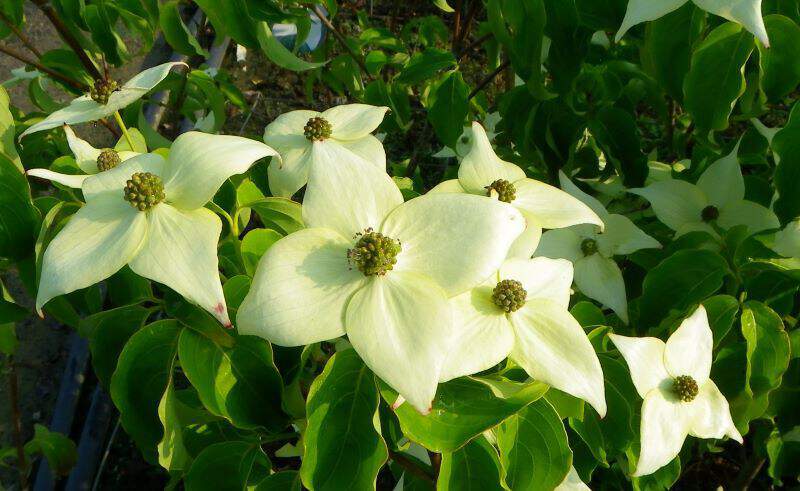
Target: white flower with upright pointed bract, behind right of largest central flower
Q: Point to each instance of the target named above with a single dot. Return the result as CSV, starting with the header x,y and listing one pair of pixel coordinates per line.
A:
x,y
482,172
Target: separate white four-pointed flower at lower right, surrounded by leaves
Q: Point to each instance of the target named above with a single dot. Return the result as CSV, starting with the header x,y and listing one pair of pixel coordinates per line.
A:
x,y
679,398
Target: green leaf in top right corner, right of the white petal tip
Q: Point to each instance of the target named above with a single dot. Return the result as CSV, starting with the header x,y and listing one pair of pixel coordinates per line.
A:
x,y
780,63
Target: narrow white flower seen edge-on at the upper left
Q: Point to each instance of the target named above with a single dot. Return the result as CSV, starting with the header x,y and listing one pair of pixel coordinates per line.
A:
x,y
85,109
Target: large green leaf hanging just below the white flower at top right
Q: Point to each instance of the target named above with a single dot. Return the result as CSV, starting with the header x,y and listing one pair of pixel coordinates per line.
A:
x,y
716,77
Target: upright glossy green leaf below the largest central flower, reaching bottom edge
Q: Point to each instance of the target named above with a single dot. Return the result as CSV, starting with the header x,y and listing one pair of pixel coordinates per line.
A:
x,y
344,449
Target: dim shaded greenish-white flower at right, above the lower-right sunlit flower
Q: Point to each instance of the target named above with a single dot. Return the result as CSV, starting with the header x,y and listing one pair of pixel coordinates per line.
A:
x,y
717,198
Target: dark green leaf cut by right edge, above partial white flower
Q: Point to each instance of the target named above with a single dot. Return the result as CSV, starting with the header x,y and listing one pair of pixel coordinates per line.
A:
x,y
786,145
